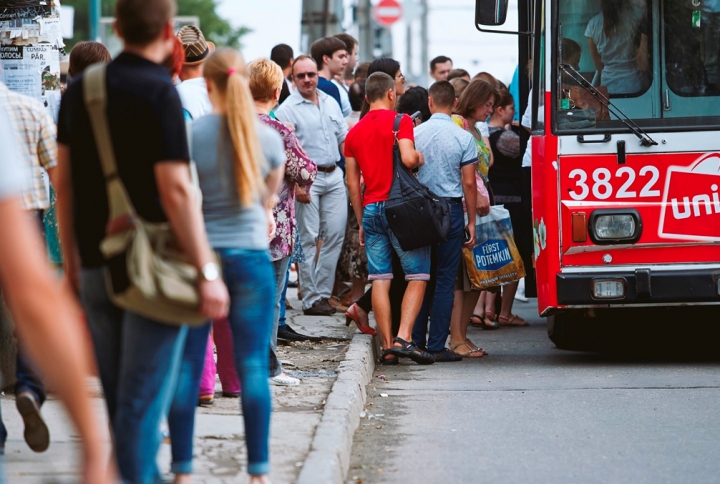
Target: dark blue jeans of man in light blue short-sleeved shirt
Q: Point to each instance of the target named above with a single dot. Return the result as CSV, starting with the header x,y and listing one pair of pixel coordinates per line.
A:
x,y
439,293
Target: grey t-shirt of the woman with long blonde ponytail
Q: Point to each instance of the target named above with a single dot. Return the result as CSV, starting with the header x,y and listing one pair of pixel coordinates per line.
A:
x,y
228,223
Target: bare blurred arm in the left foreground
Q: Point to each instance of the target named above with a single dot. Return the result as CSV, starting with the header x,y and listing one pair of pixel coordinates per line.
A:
x,y
49,324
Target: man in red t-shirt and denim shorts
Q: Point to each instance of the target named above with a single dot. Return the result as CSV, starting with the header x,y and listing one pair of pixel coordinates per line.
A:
x,y
369,150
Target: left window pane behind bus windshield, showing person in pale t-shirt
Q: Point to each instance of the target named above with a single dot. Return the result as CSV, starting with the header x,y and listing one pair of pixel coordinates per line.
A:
x,y
609,43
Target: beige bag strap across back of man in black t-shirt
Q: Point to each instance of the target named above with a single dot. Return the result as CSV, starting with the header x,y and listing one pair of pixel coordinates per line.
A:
x,y
95,97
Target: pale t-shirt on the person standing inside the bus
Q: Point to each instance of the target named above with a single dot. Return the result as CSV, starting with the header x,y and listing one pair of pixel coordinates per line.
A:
x,y
620,71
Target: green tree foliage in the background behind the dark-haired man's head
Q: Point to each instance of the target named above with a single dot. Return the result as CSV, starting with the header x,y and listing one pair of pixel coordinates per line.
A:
x,y
215,28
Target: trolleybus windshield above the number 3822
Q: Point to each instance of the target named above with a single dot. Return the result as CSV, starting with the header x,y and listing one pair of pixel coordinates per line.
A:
x,y
658,61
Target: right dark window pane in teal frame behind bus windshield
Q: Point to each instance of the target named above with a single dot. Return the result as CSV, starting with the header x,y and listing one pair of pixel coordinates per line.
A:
x,y
692,47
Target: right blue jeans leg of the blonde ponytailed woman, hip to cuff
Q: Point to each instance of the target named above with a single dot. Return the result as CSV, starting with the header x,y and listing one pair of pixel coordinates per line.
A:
x,y
250,279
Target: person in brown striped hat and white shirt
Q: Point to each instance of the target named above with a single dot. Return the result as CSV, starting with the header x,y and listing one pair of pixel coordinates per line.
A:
x,y
192,89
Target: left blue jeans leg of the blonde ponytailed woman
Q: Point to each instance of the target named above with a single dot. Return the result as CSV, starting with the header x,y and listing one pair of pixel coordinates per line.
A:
x,y
181,418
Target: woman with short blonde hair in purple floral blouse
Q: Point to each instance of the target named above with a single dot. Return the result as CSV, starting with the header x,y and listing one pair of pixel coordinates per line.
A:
x,y
266,80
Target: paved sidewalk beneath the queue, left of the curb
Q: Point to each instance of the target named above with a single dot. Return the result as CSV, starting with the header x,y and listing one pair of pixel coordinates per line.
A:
x,y
219,436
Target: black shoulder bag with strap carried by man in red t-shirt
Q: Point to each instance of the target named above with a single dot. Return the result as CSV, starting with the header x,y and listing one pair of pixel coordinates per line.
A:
x,y
416,215
